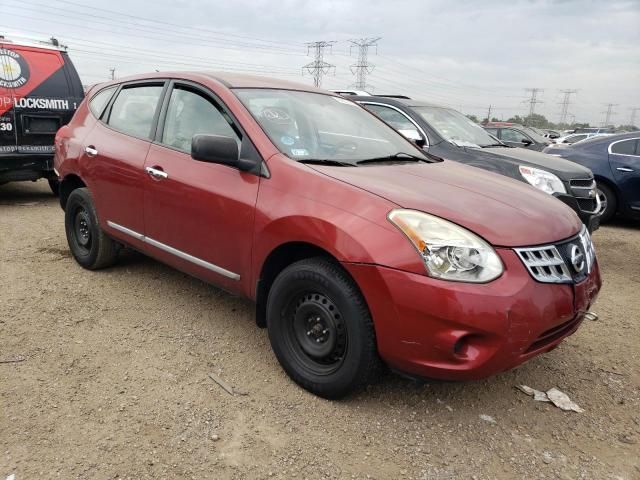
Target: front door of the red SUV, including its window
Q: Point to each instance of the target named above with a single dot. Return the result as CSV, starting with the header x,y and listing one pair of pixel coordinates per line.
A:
x,y
199,216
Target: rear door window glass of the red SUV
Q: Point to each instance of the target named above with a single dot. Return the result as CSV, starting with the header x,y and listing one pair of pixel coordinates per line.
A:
x,y
134,109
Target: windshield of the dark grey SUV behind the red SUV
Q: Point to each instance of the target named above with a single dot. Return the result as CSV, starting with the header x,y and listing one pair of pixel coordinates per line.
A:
x,y
455,127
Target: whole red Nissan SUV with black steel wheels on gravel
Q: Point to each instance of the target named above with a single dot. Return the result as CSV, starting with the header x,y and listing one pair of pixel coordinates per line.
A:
x,y
357,247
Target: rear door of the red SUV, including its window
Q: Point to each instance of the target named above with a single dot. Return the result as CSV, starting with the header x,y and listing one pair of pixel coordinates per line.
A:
x,y
113,157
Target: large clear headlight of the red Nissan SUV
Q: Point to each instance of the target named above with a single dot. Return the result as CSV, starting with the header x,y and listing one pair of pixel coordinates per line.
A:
x,y
449,251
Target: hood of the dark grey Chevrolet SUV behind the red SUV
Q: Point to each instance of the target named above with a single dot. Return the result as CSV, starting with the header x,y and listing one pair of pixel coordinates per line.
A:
x,y
564,169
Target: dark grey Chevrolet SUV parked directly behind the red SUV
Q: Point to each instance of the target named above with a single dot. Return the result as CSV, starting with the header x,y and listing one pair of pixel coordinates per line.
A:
x,y
446,133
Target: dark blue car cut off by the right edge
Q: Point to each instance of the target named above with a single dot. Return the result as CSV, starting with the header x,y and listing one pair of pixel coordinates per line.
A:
x,y
615,162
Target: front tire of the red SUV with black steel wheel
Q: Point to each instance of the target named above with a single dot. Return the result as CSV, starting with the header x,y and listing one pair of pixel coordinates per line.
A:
x,y
321,330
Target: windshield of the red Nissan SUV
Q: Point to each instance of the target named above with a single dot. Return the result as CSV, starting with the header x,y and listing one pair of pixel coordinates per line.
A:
x,y
308,126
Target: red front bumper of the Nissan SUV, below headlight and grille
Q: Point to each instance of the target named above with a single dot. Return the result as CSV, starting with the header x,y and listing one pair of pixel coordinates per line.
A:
x,y
460,331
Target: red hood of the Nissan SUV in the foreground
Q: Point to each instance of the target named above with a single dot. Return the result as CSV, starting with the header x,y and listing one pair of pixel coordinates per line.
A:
x,y
503,211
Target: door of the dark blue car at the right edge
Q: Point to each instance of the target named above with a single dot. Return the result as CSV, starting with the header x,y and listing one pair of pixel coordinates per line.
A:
x,y
624,158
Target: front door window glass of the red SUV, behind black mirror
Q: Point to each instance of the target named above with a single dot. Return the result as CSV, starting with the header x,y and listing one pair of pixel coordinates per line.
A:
x,y
190,113
